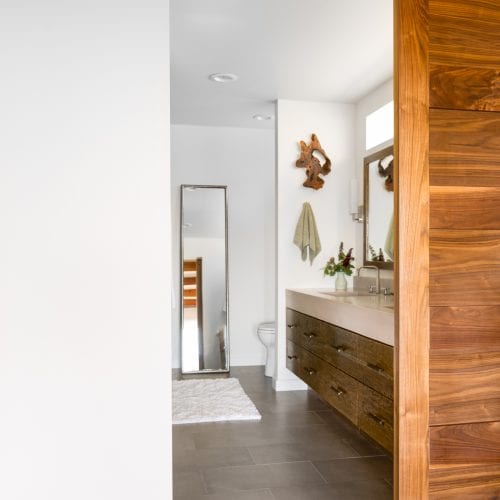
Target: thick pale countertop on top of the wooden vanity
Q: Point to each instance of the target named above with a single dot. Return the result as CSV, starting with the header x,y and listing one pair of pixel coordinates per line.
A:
x,y
368,315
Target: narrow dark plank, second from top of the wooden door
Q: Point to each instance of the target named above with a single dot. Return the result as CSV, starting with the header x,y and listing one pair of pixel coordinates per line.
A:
x,y
464,88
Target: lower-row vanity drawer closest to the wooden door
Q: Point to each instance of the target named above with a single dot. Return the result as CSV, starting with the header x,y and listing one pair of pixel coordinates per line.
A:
x,y
376,417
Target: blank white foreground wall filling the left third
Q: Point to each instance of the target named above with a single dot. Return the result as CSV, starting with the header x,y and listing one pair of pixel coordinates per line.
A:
x,y
85,253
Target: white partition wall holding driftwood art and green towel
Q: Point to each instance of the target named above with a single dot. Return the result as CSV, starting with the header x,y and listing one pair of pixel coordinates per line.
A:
x,y
334,124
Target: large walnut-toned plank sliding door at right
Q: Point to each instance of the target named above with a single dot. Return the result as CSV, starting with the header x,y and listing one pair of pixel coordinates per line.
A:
x,y
449,335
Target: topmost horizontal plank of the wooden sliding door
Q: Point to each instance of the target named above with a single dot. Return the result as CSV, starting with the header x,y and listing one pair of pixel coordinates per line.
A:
x,y
471,38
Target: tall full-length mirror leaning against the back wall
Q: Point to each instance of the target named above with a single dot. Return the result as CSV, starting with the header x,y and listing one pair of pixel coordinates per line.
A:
x,y
204,282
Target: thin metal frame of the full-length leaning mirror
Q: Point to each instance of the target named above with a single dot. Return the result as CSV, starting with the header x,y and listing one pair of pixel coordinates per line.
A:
x,y
181,276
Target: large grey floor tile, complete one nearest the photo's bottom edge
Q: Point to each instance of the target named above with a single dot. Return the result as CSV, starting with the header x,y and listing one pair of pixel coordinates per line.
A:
x,y
261,476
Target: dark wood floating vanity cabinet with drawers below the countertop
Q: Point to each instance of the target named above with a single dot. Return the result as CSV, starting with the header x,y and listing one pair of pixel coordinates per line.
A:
x,y
351,372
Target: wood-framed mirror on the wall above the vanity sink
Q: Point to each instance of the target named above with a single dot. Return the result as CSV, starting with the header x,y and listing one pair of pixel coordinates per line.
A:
x,y
379,209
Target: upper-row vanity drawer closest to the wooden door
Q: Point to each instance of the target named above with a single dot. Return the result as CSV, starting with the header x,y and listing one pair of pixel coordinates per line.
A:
x,y
377,363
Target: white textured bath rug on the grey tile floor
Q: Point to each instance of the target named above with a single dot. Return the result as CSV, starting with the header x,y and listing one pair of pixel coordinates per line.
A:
x,y
210,400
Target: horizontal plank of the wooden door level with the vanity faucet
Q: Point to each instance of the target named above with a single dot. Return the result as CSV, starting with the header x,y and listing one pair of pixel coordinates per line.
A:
x,y
464,258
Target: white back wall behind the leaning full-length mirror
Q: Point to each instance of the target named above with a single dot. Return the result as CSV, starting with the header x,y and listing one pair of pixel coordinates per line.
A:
x,y
242,159
